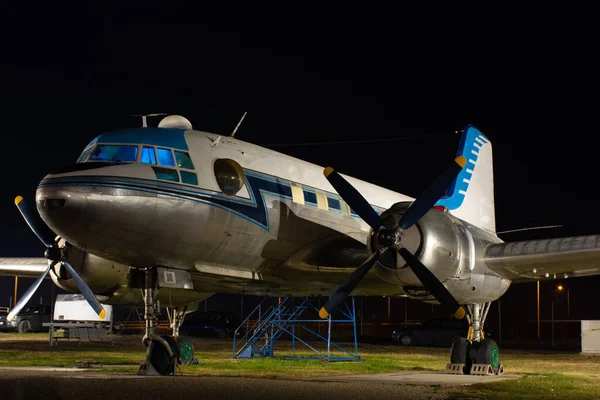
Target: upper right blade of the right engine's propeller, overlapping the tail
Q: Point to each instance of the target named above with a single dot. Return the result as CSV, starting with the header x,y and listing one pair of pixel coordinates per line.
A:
x,y
432,194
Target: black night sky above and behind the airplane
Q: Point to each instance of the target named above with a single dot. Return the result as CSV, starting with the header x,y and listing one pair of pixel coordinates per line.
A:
x,y
317,74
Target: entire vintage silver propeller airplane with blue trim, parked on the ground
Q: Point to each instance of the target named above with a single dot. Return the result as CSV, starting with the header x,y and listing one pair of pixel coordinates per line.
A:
x,y
183,214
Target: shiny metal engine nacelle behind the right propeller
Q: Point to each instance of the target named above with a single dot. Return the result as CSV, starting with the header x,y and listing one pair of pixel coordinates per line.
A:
x,y
450,248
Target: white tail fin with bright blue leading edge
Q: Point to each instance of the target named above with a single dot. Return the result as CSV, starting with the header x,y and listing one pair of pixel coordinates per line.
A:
x,y
471,197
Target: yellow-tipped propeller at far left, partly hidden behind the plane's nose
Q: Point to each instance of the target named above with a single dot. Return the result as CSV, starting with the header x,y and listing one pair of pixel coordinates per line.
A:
x,y
55,255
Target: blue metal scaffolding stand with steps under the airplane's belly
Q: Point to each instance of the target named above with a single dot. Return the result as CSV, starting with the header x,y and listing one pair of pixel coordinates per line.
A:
x,y
258,334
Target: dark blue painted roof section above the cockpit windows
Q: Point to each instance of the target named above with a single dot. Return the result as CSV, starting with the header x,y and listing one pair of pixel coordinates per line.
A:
x,y
167,137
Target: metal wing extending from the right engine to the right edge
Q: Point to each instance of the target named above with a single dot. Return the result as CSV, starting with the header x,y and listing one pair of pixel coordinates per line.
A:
x,y
532,259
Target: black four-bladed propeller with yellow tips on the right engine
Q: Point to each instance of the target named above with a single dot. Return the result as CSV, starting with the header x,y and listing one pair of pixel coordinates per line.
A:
x,y
389,237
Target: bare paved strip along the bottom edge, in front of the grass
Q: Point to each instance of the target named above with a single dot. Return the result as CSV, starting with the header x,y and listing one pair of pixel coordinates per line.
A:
x,y
75,384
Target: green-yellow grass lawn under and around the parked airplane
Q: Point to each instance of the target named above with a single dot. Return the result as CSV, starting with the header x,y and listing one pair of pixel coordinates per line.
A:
x,y
545,374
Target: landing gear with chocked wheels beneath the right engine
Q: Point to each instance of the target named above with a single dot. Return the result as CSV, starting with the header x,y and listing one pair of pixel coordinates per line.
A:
x,y
475,354
